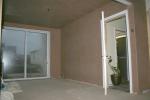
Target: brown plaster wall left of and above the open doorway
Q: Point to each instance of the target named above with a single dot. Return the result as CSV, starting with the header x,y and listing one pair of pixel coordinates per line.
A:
x,y
81,46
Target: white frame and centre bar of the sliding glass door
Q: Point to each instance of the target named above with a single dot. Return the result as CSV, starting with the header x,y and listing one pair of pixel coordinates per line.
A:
x,y
48,52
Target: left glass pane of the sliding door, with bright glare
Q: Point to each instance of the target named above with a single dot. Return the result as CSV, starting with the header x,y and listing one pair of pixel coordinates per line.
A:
x,y
13,43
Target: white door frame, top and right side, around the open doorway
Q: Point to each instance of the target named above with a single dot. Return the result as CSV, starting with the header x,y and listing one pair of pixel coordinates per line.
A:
x,y
120,14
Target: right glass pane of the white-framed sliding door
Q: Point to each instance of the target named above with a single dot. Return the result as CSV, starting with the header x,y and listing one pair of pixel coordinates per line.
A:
x,y
36,54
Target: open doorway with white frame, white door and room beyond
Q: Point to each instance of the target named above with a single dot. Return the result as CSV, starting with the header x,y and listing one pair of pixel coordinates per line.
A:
x,y
116,45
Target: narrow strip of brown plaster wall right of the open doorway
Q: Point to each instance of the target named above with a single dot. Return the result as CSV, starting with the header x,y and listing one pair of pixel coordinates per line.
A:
x,y
141,35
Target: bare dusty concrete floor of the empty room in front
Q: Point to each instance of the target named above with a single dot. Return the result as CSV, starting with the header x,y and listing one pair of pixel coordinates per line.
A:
x,y
69,90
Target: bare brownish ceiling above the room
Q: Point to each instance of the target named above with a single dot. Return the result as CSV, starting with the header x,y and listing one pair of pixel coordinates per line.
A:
x,y
51,13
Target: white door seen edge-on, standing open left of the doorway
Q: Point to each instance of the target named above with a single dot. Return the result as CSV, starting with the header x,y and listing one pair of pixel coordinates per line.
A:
x,y
104,59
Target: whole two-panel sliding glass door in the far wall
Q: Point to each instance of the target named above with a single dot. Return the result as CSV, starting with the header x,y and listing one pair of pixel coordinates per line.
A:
x,y
24,54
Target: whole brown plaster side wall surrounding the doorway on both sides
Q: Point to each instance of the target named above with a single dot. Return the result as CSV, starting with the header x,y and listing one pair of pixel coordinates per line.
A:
x,y
81,45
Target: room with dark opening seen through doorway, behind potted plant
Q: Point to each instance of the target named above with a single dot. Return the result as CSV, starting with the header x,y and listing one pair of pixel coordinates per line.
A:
x,y
117,49
